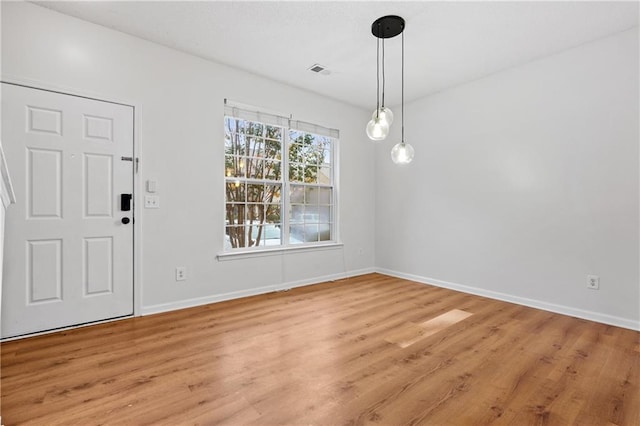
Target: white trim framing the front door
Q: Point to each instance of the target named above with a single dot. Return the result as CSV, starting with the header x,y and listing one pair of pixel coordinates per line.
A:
x,y
137,185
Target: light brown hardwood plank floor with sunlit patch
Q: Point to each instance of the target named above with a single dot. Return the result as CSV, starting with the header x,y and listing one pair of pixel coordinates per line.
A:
x,y
367,350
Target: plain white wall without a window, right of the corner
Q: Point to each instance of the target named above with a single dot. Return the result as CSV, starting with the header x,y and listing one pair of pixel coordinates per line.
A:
x,y
523,183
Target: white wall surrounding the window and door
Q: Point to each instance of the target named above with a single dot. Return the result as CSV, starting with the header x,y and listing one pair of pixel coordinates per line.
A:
x,y
179,100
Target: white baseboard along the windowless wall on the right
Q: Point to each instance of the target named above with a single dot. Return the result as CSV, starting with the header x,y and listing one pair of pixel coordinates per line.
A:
x,y
538,304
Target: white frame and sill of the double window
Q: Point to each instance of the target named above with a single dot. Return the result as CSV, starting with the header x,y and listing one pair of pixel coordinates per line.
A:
x,y
287,124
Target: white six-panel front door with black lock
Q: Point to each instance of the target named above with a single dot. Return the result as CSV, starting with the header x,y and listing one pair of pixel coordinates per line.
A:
x,y
68,256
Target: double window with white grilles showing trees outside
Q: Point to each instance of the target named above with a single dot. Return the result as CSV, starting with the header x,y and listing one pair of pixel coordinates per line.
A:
x,y
279,181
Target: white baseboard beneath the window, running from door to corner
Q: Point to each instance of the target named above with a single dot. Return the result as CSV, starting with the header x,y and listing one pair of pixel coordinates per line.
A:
x,y
199,301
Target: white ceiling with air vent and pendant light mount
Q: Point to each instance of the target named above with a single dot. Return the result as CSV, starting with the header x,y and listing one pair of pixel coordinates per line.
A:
x,y
446,43
